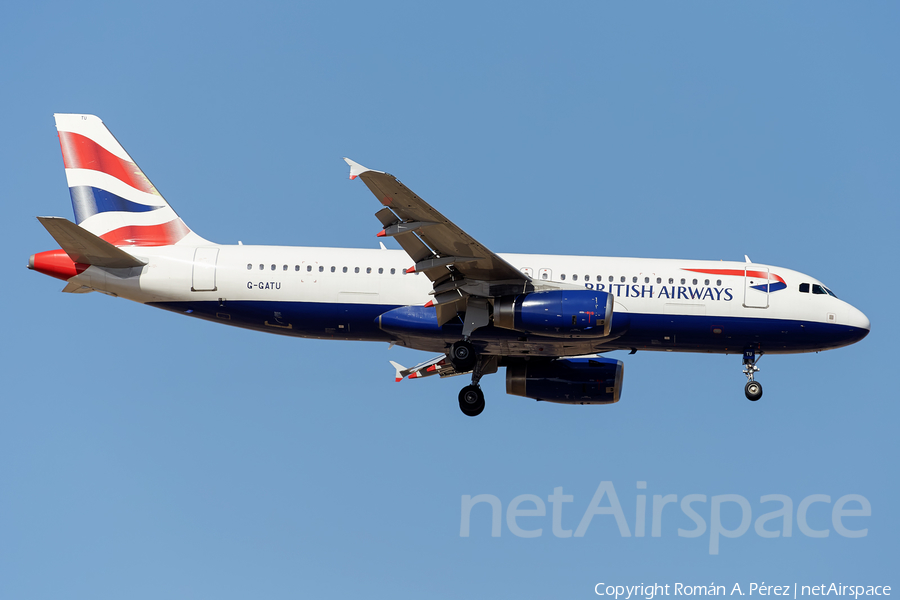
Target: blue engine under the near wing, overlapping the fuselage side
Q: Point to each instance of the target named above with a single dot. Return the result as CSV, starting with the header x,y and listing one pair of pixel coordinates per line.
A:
x,y
566,313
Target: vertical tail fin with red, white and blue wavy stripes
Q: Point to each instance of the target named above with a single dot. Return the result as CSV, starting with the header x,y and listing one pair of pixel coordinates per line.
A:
x,y
112,197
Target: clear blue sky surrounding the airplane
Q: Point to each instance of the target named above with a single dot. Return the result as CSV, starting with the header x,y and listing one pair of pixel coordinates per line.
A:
x,y
147,455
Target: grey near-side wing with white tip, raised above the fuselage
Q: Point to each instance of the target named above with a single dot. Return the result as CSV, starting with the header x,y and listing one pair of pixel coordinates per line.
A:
x,y
459,266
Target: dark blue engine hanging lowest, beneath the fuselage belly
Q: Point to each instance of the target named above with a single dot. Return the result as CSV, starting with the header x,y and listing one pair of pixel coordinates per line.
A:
x,y
567,380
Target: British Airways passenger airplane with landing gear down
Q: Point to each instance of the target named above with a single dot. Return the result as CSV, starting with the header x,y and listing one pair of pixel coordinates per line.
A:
x,y
546,319
